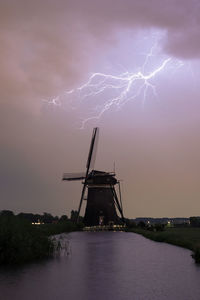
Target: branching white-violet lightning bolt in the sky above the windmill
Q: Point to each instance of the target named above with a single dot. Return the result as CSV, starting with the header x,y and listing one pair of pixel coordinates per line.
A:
x,y
121,88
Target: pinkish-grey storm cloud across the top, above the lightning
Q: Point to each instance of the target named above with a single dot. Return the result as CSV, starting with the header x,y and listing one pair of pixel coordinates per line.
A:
x,y
47,46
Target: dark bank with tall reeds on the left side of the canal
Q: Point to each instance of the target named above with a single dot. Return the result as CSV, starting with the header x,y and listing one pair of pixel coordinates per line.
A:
x,y
21,242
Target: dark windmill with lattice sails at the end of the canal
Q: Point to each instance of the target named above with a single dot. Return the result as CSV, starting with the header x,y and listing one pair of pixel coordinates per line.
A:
x,y
102,199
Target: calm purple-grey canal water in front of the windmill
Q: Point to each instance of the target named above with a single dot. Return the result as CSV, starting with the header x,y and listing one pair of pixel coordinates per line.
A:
x,y
106,265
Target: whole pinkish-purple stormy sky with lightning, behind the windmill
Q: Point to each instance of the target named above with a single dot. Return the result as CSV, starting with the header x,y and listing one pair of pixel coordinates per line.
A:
x,y
145,99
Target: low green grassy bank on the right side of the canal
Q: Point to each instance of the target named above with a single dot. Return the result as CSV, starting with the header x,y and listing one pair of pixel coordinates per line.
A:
x,y
184,237
